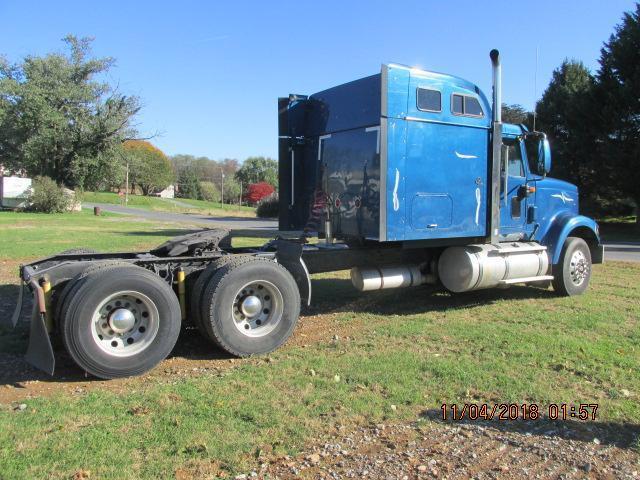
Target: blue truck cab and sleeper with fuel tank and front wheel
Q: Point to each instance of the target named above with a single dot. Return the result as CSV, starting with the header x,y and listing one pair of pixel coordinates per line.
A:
x,y
420,160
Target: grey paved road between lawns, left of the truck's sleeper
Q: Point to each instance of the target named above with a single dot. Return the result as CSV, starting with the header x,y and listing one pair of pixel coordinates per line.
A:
x,y
235,223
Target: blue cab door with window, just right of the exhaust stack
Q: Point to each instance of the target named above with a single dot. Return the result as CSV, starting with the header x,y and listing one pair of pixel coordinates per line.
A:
x,y
513,198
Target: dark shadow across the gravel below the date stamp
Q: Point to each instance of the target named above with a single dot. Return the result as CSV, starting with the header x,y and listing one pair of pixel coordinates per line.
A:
x,y
621,435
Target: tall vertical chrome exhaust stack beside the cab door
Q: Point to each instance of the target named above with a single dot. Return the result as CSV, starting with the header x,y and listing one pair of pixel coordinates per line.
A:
x,y
496,149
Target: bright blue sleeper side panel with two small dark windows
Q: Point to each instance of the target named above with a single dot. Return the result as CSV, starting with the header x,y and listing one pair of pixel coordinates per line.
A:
x,y
445,167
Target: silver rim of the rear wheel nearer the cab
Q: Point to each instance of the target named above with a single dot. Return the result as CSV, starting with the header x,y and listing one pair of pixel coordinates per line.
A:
x,y
257,308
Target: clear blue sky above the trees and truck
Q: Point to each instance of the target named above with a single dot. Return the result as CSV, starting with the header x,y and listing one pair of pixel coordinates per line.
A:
x,y
209,73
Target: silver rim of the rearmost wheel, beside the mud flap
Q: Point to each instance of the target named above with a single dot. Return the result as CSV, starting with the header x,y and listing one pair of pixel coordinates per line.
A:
x,y
125,323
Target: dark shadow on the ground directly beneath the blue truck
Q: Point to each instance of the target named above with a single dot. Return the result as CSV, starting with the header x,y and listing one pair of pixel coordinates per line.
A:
x,y
330,295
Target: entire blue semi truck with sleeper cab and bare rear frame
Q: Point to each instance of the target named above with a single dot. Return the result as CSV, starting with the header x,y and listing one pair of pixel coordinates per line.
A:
x,y
407,177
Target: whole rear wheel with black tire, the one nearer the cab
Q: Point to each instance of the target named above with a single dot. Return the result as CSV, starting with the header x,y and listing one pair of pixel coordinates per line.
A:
x,y
251,306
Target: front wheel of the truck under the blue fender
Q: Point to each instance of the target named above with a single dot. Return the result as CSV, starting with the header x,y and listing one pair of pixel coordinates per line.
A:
x,y
573,272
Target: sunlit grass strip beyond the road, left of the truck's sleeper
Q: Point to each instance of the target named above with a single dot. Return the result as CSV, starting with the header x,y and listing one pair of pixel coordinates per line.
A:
x,y
170,205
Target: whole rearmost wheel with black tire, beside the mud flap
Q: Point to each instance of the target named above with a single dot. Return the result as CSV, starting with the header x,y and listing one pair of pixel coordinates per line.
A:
x,y
120,321
